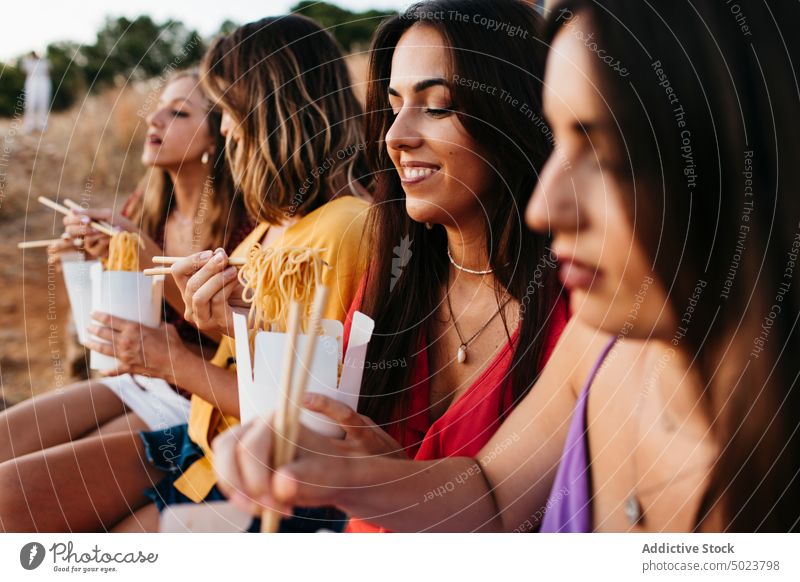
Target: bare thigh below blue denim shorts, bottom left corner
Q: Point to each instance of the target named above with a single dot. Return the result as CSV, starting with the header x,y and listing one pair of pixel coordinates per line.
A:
x,y
88,485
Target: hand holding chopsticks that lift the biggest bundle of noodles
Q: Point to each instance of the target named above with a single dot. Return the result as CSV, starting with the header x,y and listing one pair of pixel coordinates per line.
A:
x,y
208,285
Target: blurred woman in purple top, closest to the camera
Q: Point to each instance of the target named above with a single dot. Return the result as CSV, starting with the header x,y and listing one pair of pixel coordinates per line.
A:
x,y
686,415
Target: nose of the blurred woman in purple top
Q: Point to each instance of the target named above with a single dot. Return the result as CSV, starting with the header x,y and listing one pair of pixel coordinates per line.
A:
x,y
554,204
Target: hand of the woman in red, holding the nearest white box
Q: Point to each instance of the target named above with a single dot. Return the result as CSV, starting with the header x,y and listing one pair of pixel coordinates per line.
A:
x,y
363,437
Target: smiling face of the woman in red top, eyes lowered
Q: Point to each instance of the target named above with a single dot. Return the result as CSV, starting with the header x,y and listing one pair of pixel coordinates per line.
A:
x,y
440,168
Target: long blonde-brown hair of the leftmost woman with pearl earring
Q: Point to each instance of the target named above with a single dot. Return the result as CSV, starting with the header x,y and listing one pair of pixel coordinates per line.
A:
x,y
221,202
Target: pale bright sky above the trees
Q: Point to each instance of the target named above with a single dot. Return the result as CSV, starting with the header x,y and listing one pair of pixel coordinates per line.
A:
x,y
33,24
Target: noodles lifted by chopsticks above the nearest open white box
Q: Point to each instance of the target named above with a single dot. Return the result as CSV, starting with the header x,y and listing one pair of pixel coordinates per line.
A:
x,y
273,277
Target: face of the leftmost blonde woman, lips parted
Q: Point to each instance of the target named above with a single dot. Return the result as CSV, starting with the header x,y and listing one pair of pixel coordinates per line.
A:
x,y
177,132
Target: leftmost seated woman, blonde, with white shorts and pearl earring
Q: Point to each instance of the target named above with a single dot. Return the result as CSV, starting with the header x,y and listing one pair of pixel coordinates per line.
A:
x,y
186,202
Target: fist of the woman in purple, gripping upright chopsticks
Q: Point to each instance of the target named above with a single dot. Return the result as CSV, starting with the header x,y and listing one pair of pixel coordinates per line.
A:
x,y
242,460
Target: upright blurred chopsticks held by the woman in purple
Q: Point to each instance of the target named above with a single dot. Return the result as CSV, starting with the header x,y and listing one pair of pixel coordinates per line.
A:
x,y
287,418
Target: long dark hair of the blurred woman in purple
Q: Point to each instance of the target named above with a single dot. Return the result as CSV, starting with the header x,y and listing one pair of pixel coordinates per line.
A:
x,y
703,139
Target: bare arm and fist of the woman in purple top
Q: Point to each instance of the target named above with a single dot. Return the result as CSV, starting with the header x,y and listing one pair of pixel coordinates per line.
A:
x,y
498,491
